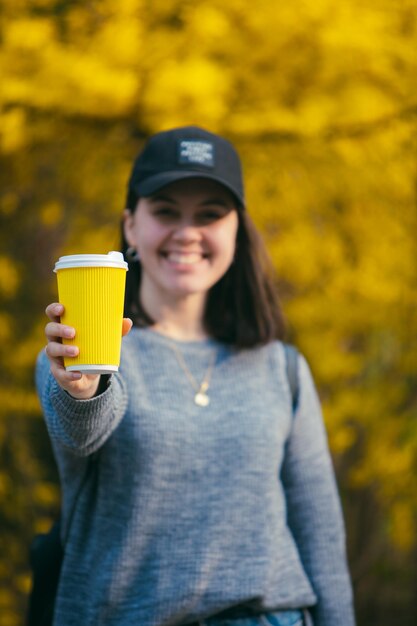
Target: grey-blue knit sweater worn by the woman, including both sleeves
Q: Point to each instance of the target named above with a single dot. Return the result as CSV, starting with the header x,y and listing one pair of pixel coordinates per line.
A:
x,y
183,511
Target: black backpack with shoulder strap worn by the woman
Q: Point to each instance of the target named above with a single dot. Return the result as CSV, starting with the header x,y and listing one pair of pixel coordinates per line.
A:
x,y
47,552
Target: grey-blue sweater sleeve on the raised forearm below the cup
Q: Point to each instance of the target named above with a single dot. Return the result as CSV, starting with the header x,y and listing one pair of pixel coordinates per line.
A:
x,y
80,426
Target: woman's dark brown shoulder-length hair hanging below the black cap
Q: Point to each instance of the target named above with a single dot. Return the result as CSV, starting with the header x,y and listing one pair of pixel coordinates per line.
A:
x,y
242,308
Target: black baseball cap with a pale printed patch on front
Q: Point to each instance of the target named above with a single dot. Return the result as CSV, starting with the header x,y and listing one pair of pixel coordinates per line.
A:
x,y
186,152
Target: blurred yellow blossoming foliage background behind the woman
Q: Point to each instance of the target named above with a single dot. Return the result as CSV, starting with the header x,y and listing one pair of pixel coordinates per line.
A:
x,y
320,98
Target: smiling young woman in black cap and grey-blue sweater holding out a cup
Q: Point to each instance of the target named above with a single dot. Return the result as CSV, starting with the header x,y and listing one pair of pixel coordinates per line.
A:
x,y
201,497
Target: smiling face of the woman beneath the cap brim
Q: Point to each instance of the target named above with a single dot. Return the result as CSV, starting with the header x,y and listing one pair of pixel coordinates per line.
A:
x,y
185,235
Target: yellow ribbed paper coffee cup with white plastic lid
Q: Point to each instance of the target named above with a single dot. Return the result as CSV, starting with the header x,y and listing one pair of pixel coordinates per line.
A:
x,y
91,288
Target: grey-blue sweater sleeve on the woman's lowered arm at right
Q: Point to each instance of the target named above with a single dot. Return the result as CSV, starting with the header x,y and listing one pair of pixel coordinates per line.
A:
x,y
314,511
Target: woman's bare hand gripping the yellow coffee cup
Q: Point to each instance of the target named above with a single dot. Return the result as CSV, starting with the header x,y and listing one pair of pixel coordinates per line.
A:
x,y
78,385
